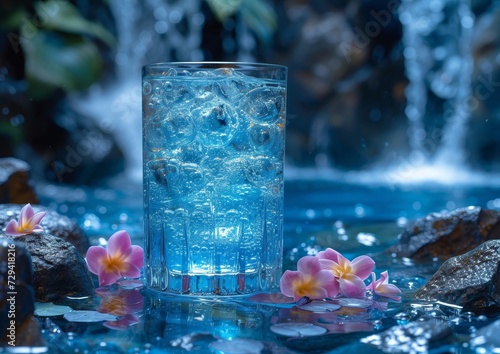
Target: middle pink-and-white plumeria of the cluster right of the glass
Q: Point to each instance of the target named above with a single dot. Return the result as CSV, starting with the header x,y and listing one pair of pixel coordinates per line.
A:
x,y
349,275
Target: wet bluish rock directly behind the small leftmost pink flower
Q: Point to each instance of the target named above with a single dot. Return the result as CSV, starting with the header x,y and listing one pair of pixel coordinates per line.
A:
x,y
52,223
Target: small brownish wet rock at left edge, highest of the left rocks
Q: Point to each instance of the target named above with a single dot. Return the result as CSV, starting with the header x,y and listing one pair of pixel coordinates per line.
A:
x,y
15,185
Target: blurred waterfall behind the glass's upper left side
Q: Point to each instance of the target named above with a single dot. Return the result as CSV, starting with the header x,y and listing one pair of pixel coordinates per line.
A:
x,y
148,31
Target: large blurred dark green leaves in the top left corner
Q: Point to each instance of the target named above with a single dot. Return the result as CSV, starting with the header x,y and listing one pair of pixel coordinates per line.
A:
x,y
59,46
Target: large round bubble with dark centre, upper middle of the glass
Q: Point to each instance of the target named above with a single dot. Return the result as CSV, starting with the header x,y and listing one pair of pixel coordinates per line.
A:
x,y
217,122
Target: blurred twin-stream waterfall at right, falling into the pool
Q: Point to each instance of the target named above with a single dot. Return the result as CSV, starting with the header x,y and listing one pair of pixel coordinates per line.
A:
x,y
437,50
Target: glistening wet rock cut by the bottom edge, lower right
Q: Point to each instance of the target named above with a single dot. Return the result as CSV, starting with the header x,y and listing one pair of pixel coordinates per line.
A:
x,y
414,337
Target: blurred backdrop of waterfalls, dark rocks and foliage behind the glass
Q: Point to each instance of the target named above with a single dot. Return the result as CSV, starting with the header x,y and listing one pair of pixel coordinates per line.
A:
x,y
407,89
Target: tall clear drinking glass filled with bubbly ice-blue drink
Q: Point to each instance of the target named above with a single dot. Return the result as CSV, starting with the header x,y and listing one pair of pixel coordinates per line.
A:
x,y
213,145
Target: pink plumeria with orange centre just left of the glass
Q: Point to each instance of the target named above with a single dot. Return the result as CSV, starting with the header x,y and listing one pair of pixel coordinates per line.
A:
x,y
120,259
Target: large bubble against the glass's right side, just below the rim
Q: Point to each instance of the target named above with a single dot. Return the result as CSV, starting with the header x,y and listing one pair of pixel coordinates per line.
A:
x,y
263,104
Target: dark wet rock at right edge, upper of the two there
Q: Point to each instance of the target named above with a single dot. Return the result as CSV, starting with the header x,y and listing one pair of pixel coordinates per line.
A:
x,y
445,235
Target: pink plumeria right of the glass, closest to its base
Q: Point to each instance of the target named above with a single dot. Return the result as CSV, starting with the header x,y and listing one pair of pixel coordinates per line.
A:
x,y
309,280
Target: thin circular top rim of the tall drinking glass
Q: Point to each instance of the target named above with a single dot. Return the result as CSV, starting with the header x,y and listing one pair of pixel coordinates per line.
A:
x,y
216,64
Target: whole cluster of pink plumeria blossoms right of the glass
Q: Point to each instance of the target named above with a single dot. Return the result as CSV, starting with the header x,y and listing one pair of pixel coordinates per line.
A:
x,y
330,274
